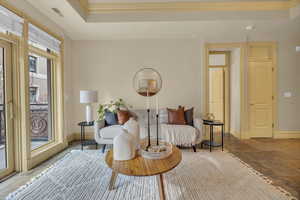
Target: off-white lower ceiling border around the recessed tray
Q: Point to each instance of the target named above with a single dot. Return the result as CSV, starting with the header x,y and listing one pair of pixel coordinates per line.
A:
x,y
181,24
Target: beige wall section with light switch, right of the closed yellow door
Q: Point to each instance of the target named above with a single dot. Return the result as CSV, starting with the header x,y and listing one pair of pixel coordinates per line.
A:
x,y
288,80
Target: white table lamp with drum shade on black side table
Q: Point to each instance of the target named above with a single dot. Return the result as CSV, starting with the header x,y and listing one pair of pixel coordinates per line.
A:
x,y
88,97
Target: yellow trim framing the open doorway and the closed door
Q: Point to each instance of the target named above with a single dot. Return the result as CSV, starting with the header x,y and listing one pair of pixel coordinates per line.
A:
x,y
244,124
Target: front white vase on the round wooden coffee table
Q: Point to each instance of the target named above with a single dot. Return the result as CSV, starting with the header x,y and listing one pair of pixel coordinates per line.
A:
x,y
124,146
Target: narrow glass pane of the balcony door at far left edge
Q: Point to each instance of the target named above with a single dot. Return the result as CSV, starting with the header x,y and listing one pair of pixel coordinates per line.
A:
x,y
3,146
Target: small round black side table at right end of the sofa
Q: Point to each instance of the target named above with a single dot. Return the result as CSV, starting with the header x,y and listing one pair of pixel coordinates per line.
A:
x,y
210,142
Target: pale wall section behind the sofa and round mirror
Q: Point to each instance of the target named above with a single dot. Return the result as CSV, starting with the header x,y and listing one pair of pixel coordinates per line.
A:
x,y
109,67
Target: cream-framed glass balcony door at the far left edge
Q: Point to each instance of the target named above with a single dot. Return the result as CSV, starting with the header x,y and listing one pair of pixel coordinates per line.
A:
x,y
6,106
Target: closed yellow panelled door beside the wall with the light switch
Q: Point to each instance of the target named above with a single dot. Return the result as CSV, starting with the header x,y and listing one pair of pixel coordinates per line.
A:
x,y
260,90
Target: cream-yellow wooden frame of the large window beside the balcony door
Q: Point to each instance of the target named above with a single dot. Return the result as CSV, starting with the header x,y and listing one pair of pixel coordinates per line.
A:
x,y
25,157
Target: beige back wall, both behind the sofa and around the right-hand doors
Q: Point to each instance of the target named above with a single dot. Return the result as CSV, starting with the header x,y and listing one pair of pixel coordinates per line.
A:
x,y
109,66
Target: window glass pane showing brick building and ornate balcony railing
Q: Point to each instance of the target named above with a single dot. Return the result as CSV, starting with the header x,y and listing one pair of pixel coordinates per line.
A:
x,y
40,100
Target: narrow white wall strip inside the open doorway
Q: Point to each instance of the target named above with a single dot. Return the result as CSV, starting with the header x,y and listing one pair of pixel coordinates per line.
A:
x,y
235,94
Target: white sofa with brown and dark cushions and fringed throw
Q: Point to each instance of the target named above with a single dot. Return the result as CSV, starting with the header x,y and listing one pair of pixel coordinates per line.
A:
x,y
180,135
